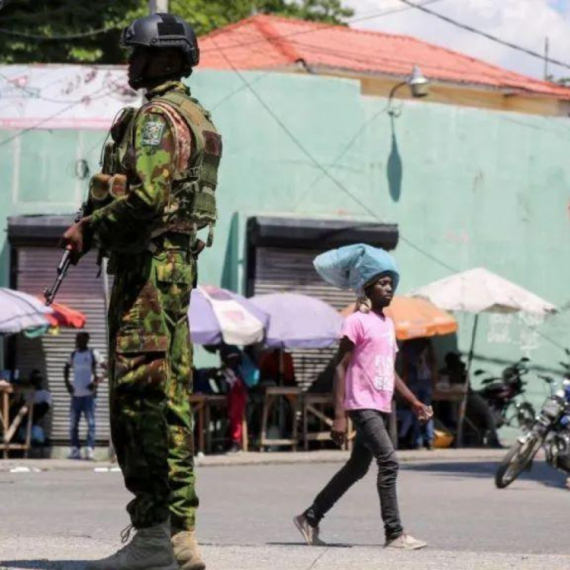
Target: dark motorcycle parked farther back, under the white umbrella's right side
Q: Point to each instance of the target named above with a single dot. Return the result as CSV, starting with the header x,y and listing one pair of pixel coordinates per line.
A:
x,y
504,397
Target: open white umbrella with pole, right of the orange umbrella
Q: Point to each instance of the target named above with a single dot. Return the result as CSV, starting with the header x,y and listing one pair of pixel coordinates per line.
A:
x,y
477,291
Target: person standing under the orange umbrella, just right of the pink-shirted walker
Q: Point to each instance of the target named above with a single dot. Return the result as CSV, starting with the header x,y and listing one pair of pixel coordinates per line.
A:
x,y
420,375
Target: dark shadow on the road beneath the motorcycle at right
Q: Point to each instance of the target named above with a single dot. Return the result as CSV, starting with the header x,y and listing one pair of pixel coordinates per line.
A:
x,y
541,472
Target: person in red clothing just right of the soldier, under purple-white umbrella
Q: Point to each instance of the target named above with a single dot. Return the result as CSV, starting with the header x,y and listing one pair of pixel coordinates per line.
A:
x,y
239,372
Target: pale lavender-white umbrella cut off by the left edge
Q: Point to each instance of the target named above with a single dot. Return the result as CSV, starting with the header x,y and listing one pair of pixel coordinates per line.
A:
x,y
20,311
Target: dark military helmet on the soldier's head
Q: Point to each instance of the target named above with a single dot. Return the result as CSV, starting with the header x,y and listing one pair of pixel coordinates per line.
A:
x,y
163,31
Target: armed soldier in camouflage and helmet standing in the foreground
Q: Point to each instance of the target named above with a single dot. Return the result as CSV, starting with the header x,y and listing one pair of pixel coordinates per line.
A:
x,y
155,193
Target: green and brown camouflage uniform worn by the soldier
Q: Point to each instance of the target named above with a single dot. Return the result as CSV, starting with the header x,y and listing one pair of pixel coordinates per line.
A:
x,y
150,358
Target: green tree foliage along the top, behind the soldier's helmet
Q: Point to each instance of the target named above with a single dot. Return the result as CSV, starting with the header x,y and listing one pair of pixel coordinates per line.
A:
x,y
73,31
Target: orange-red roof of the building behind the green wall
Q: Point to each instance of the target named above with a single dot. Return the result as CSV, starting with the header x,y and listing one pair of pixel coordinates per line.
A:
x,y
270,42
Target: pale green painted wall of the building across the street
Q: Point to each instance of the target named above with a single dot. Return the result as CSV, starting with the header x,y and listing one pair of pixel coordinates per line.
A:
x,y
467,187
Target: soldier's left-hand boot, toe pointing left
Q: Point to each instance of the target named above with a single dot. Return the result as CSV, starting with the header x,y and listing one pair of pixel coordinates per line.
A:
x,y
150,549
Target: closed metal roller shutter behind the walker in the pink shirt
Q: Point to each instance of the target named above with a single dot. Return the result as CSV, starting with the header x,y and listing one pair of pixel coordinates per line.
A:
x,y
280,270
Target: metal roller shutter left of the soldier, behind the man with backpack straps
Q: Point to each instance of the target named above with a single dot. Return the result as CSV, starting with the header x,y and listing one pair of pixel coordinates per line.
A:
x,y
82,290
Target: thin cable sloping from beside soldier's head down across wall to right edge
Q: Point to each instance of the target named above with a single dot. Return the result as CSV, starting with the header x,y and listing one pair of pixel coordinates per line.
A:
x,y
340,185
